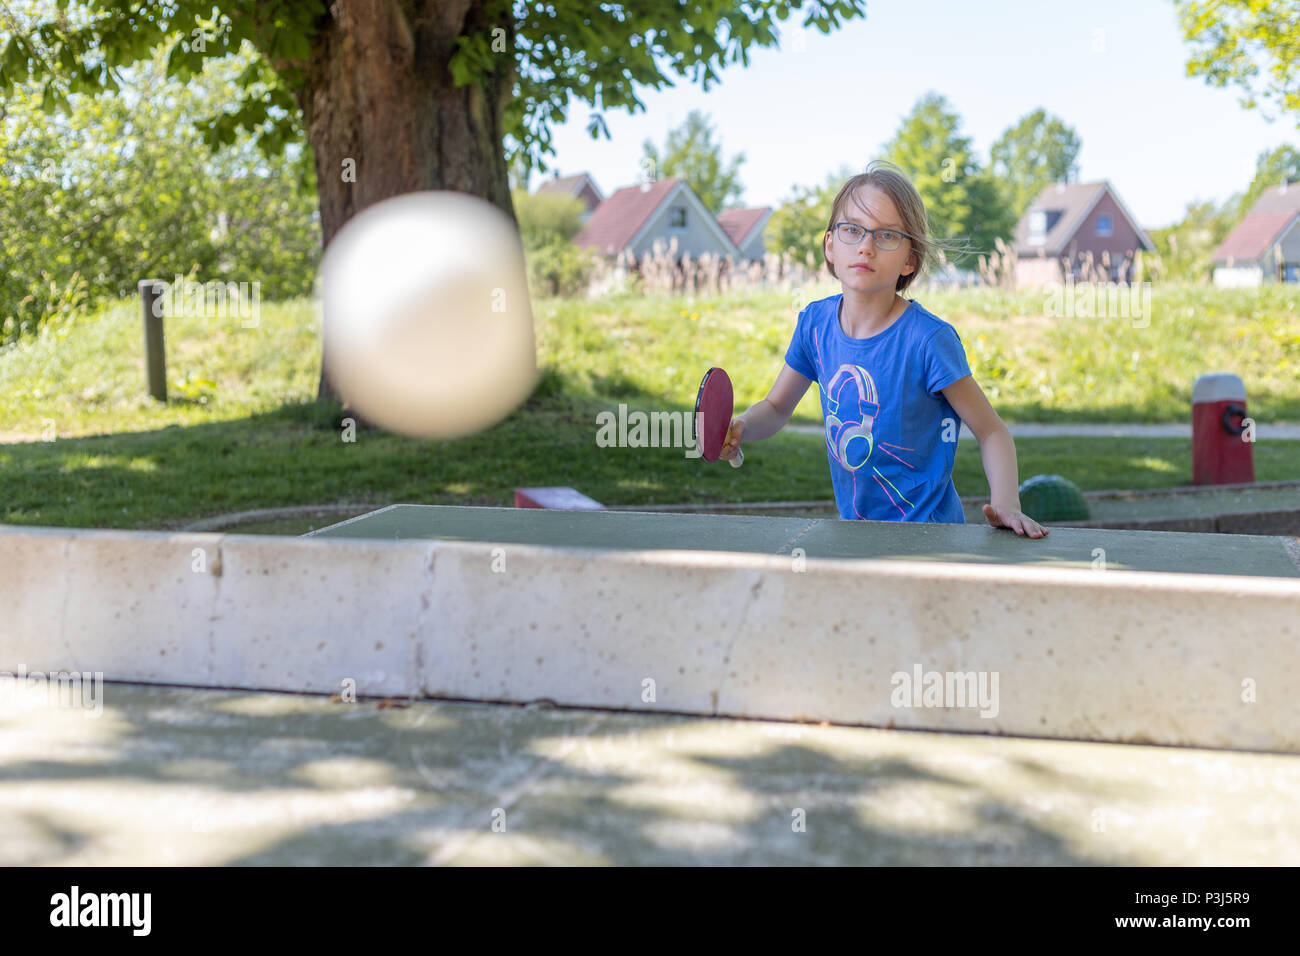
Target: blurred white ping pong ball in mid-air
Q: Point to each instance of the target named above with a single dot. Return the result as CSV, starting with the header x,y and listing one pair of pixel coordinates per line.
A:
x,y
427,319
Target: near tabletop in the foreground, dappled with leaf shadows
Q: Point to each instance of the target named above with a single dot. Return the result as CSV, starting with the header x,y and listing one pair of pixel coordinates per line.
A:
x,y
172,776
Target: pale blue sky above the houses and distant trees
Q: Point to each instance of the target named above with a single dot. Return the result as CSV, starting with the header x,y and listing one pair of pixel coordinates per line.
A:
x,y
1112,70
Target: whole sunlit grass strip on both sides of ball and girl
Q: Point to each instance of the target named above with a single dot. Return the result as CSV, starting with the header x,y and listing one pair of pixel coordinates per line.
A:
x,y
86,375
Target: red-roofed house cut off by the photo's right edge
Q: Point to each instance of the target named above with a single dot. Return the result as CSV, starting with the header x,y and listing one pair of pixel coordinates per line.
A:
x,y
1266,245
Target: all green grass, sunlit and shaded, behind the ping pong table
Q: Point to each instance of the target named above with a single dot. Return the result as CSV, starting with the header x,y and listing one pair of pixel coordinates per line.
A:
x,y
249,434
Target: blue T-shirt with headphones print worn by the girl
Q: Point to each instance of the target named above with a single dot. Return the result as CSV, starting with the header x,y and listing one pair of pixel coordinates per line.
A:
x,y
891,436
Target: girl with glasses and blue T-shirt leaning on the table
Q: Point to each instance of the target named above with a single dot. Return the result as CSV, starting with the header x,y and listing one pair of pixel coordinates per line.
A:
x,y
894,378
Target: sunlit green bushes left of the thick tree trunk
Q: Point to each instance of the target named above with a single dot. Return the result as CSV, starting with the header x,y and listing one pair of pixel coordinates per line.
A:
x,y
81,226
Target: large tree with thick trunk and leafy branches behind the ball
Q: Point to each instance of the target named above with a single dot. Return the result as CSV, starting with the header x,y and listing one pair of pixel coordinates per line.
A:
x,y
404,96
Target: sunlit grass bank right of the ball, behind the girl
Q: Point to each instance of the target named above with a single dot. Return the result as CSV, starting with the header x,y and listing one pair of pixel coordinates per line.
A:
x,y
1032,365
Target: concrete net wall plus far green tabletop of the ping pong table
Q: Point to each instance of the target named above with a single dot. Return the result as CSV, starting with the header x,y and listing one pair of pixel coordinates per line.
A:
x,y
1087,634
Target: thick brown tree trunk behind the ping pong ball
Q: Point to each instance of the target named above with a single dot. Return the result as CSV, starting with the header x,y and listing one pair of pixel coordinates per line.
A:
x,y
379,93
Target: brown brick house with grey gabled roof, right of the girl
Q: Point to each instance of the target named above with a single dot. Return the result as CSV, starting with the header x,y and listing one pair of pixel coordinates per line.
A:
x,y
1073,226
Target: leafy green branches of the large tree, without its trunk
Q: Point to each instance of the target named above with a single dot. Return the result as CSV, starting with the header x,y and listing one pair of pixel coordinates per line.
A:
x,y
599,54
